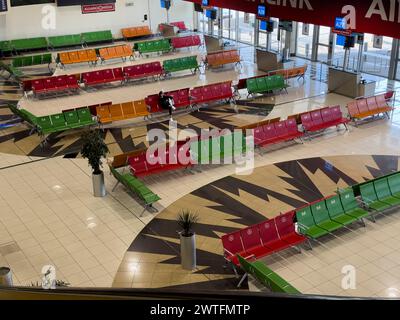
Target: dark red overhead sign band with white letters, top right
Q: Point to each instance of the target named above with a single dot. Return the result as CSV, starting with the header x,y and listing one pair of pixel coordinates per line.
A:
x,y
379,17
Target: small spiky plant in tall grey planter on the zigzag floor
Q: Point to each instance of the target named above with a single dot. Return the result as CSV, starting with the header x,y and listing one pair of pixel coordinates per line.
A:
x,y
186,220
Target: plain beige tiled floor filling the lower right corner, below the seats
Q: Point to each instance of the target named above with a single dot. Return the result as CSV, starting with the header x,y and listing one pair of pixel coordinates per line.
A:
x,y
374,252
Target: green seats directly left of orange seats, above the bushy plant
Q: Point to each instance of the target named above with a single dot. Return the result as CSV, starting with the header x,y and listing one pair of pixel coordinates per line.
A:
x,y
74,119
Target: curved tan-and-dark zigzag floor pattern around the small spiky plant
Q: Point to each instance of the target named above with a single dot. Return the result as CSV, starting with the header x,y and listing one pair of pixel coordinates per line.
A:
x,y
233,203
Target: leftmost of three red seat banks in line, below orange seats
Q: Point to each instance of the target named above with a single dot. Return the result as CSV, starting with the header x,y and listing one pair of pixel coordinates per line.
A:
x,y
55,85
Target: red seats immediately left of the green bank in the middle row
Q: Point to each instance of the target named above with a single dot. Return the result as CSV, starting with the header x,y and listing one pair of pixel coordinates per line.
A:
x,y
141,165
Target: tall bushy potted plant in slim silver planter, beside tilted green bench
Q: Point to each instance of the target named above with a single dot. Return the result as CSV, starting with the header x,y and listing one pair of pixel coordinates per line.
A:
x,y
93,149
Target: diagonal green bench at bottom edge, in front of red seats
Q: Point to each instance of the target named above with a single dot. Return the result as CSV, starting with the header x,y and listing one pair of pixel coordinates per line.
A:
x,y
267,277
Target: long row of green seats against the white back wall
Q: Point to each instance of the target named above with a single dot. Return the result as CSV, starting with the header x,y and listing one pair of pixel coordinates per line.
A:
x,y
8,46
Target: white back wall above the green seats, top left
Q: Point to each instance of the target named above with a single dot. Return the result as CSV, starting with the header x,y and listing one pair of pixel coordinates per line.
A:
x,y
26,21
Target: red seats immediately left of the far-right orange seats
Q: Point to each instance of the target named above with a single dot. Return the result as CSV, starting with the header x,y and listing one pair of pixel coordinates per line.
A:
x,y
323,119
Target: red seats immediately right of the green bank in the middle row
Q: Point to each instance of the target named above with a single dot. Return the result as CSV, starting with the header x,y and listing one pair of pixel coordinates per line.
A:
x,y
281,131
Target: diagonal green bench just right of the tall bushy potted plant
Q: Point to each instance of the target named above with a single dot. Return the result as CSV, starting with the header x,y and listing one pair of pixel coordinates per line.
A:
x,y
136,186
